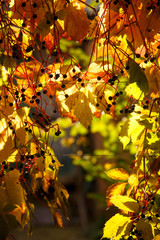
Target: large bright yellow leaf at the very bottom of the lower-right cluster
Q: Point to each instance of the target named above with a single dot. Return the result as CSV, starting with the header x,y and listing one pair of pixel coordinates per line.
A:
x,y
115,227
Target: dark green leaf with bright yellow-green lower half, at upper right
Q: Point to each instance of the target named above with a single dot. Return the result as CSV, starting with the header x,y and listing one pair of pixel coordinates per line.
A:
x,y
138,86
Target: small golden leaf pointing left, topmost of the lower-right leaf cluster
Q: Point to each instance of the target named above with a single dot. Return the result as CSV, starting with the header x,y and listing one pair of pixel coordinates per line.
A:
x,y
118,174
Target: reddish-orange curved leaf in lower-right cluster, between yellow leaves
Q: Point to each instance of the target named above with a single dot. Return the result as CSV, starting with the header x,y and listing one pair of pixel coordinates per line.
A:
x,y
114,189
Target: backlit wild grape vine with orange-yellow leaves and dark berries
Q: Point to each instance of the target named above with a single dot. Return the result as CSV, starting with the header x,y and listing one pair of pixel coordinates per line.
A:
x,y
35,73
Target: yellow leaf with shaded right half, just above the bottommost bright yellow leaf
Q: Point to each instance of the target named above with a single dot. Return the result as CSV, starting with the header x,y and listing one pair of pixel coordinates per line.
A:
x,y
125,203
